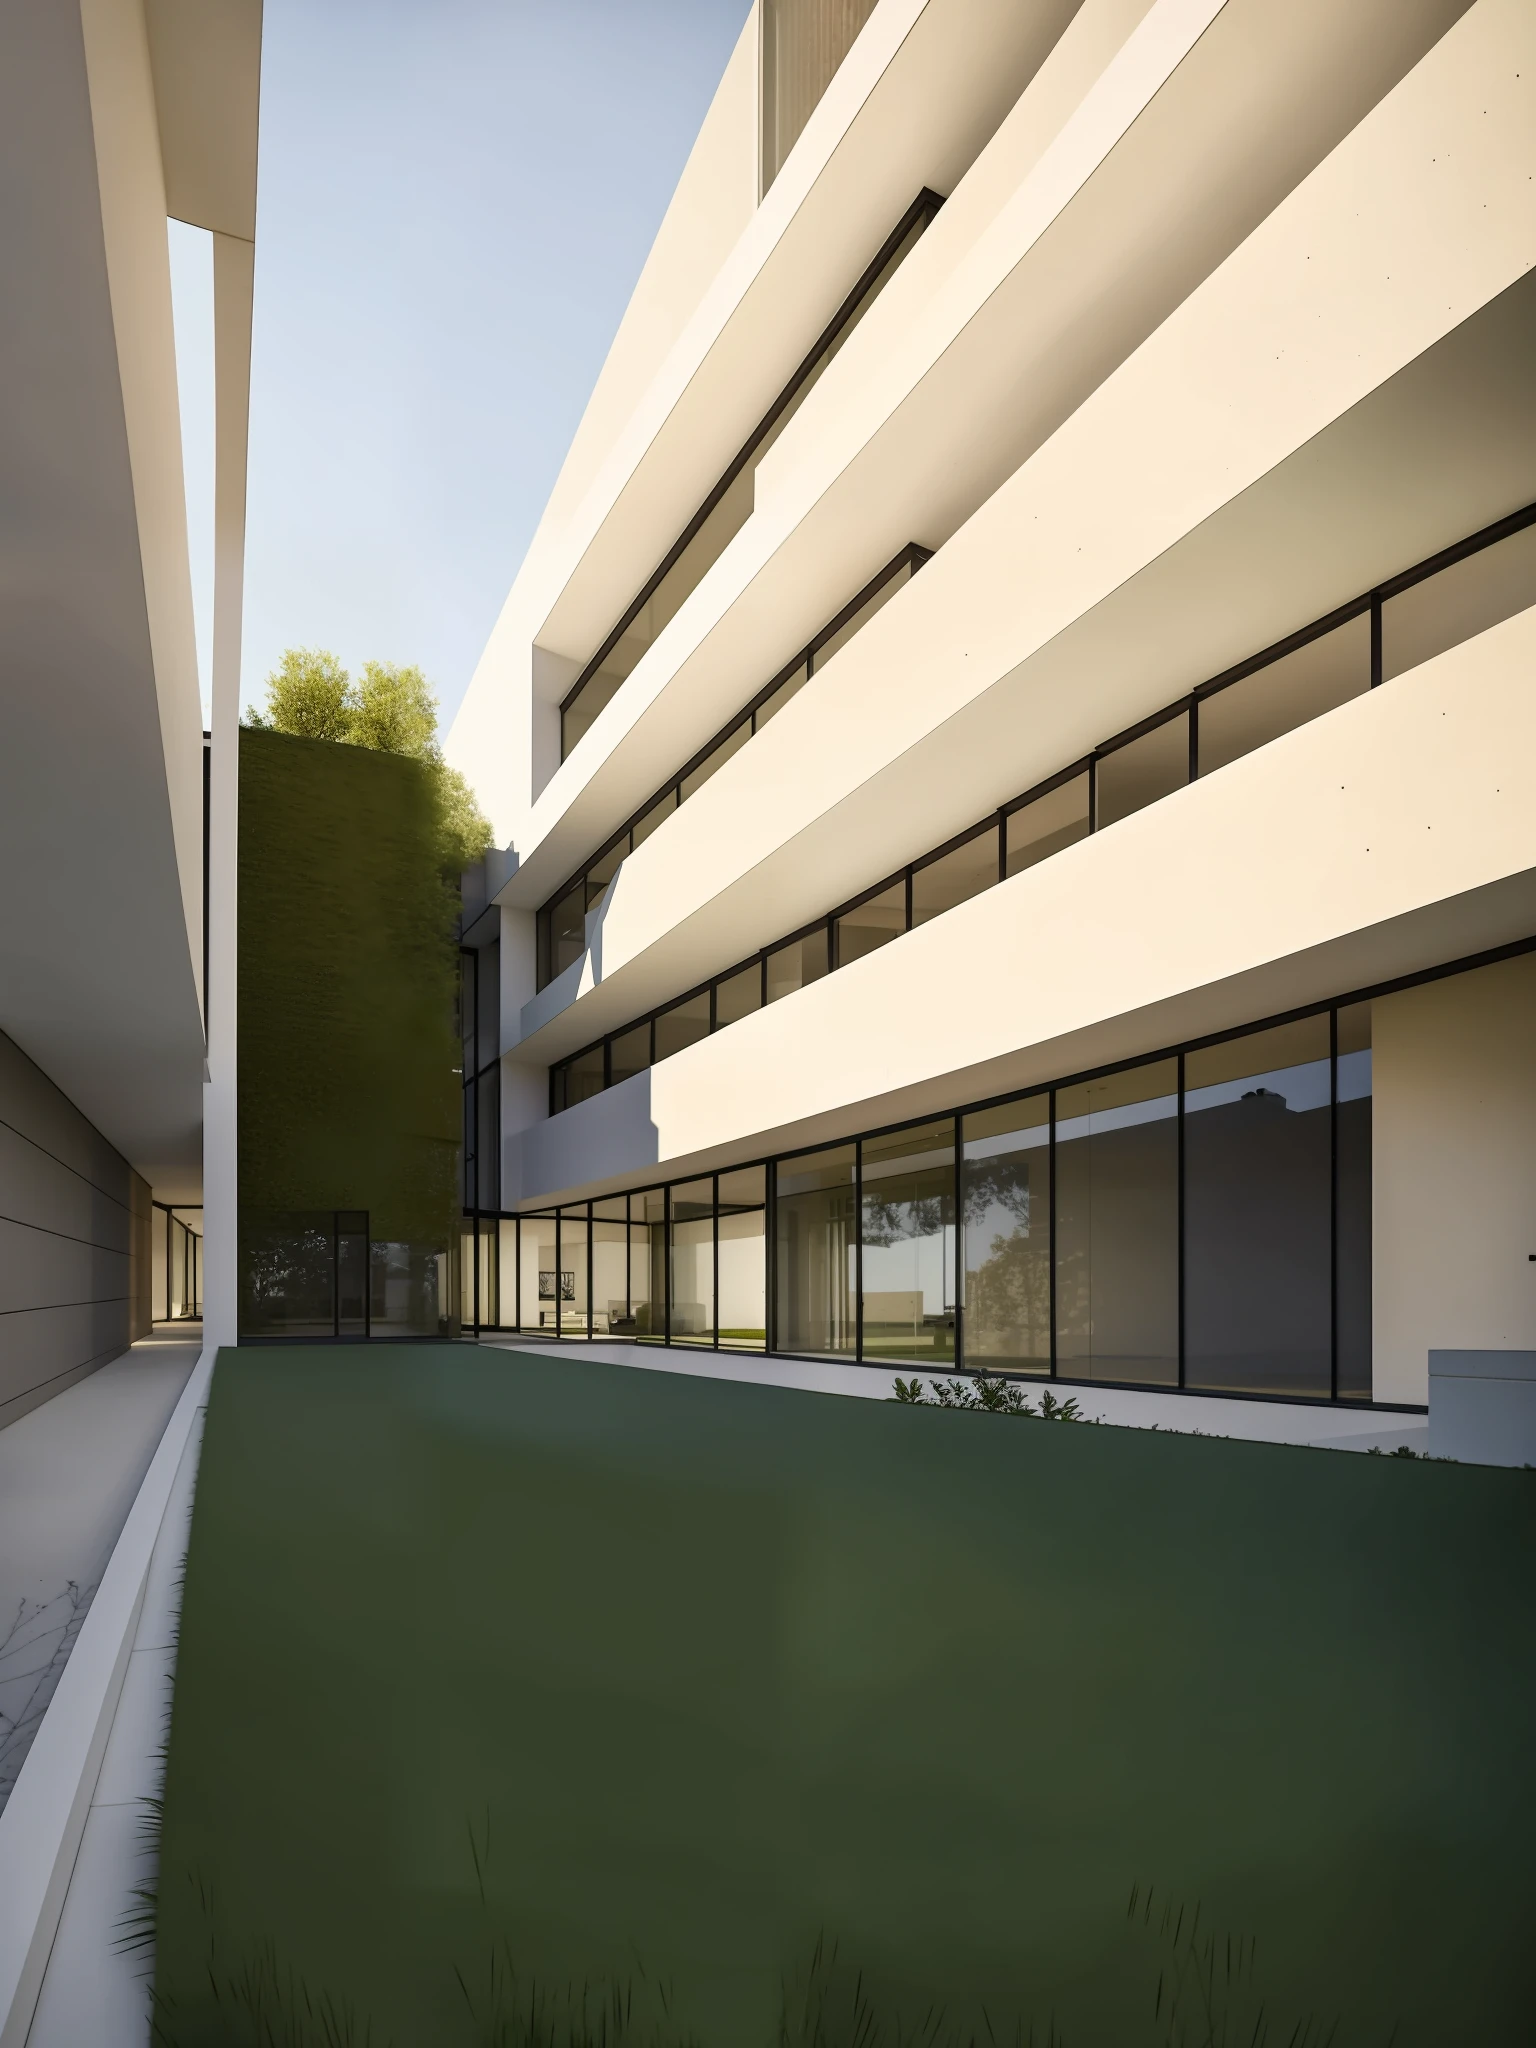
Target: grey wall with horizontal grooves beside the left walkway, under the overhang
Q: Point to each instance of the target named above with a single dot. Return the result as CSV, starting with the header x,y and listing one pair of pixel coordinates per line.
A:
x,y
71,1211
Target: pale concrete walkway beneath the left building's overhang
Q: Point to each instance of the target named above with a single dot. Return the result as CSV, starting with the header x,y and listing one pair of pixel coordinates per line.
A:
x,y
69,1476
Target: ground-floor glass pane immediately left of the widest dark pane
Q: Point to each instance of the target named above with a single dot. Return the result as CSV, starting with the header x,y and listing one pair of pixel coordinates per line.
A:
x,y
1117,1228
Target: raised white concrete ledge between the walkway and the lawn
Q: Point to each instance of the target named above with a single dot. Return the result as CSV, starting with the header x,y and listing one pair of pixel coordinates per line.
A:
x,y
46,1818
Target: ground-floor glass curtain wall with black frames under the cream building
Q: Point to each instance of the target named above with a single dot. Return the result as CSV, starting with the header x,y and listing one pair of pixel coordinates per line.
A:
x,y
1199,1220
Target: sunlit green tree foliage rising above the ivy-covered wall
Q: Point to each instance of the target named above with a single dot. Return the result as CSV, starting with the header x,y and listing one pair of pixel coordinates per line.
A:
x,y
386,710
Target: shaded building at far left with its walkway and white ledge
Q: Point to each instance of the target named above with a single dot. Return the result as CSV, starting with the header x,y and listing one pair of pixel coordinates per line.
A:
x,y
116,984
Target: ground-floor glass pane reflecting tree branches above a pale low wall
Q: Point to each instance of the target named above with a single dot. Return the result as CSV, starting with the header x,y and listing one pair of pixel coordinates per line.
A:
x,y
908,1224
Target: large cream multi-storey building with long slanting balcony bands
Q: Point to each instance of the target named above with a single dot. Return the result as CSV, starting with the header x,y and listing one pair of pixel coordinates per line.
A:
x,y
1017,734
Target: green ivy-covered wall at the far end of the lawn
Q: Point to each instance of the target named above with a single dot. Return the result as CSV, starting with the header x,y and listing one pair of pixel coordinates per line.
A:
x,y
349,1089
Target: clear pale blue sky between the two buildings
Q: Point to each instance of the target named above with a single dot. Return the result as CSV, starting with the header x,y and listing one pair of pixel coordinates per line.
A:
x,y
456,202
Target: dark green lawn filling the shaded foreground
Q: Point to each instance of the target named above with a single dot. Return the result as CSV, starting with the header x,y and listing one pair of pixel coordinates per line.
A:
x,y
544,1701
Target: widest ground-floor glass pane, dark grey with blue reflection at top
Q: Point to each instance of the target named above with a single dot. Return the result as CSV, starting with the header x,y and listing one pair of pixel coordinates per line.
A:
x,y
1258,1213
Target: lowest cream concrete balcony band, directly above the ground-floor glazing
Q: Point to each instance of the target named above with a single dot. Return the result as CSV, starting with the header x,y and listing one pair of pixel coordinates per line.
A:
x,y
1385,839
